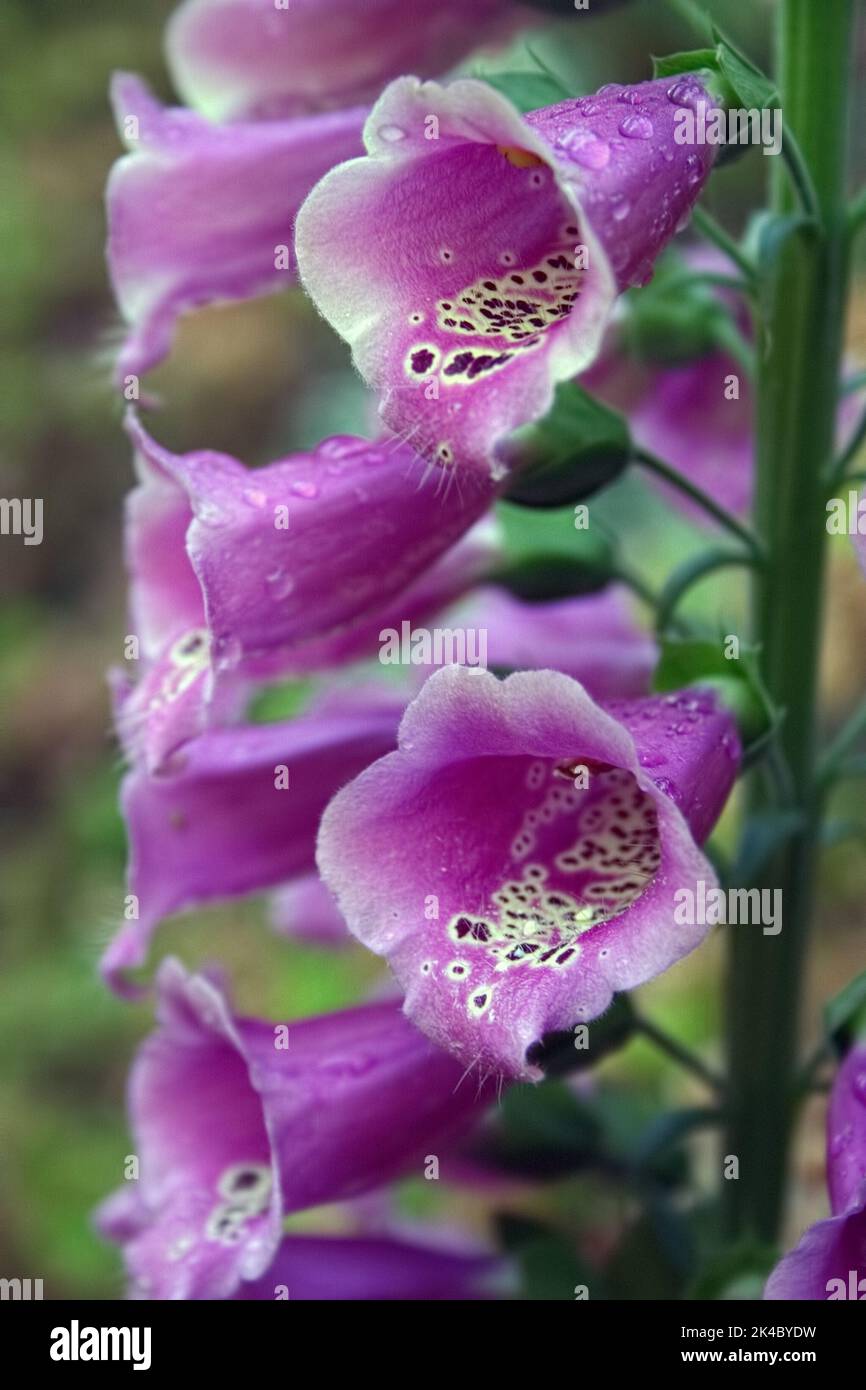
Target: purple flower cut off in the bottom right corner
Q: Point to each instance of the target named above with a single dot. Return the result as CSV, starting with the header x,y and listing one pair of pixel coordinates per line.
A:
x,y
831,1260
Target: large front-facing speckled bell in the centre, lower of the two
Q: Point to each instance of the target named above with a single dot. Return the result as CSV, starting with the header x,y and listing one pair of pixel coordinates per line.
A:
x,y
518,860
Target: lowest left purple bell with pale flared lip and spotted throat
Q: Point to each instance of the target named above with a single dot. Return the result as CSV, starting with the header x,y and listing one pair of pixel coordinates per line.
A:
x,y
238,1122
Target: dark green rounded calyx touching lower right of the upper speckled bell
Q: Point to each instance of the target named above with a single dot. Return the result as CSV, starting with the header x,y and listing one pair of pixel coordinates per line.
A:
x,y
578,448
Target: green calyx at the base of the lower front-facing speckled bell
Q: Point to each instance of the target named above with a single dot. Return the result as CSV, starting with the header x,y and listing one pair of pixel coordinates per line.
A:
x,y
701,662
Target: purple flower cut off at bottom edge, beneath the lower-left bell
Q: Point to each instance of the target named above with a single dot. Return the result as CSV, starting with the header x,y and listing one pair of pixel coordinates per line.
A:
x,y
363,1268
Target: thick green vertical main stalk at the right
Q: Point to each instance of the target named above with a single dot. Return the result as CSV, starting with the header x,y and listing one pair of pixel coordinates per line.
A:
x,y
797,400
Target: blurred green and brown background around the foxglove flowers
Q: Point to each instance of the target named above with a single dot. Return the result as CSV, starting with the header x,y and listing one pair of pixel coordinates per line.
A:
x,y
254,380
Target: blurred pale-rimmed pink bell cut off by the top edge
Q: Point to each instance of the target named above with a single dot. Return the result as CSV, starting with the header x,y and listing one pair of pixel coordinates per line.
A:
x,y
263,59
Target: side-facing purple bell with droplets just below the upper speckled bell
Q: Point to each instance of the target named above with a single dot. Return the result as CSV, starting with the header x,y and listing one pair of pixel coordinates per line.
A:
x,y
305,547
